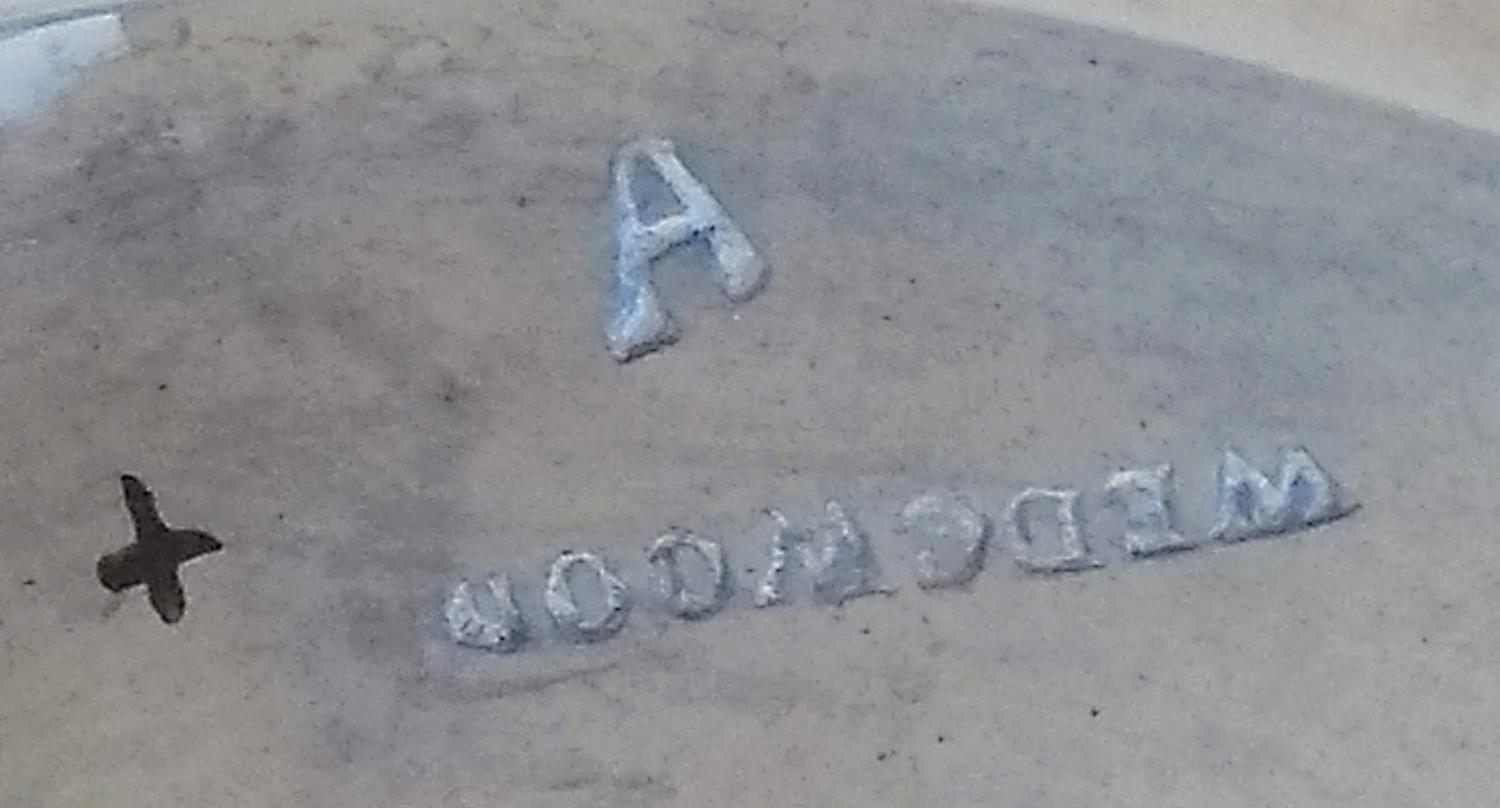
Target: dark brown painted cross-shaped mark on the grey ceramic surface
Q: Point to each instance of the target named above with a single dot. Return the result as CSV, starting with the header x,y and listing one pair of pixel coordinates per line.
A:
x,y
155,554
